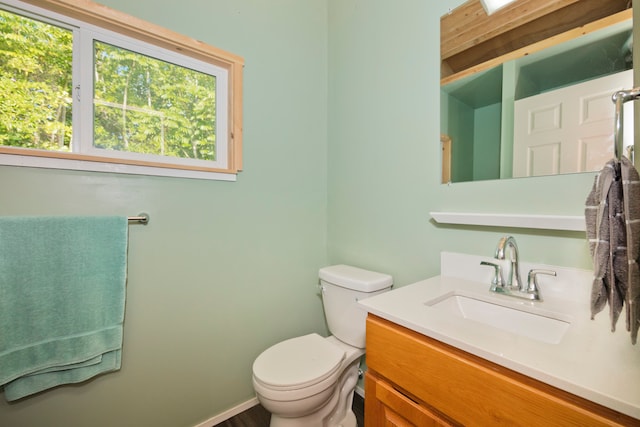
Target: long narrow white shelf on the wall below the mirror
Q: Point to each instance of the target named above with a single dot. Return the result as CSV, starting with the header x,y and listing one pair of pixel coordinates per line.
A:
x,y
545,222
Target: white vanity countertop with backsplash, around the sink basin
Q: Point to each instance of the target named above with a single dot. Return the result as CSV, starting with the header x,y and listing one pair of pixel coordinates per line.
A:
x,y
589,361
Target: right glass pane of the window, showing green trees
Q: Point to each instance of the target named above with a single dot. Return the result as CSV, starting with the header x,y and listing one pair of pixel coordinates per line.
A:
x,y
146,105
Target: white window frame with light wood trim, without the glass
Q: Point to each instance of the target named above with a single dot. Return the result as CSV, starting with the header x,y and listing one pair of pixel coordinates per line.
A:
x,y
90,21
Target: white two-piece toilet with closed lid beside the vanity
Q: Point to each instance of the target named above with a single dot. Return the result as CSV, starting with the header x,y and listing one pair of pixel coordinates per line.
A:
x,y
309,381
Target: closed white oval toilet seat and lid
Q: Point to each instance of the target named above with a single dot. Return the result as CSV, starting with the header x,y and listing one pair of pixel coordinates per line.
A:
x,y
297,363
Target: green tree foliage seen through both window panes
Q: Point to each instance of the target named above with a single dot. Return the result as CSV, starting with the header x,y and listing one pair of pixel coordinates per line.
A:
x,y
141,104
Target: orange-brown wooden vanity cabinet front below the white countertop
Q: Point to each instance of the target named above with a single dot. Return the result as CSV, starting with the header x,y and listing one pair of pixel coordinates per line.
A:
x,y
414,380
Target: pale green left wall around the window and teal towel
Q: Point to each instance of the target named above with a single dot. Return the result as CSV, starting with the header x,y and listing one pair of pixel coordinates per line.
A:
x,y
223,270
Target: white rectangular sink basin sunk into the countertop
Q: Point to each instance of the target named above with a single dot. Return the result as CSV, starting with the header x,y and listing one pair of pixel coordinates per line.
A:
x,y
524,320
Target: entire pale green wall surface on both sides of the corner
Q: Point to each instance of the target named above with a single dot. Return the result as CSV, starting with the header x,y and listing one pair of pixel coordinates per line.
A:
x,y
342,165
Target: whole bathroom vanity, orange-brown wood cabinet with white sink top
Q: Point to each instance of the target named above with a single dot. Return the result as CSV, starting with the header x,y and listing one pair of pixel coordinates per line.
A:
x,y
434,361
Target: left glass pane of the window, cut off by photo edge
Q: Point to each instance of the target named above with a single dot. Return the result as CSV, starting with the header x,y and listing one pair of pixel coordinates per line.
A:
x,y
35,84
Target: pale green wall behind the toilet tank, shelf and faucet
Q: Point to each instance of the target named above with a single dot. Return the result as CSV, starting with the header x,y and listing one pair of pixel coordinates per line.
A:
x,y
384,154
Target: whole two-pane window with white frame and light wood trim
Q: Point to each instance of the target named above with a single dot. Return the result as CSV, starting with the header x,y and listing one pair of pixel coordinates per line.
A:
x,y
86,87
